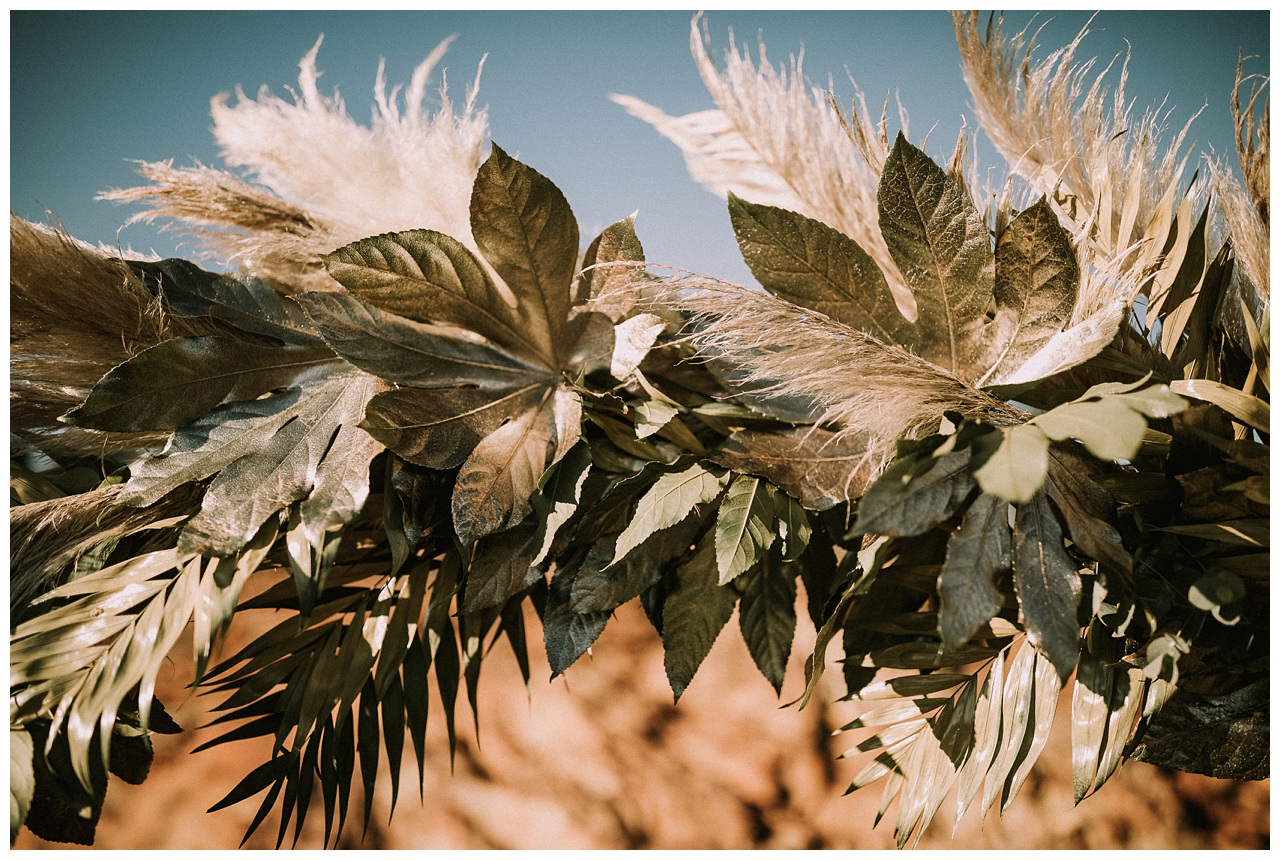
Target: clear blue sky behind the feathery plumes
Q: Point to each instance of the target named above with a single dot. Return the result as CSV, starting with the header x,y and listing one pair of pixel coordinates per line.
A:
x,y
92,92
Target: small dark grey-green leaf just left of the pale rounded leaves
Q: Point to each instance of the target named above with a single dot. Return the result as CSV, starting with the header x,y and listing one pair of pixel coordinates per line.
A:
x,y
915,495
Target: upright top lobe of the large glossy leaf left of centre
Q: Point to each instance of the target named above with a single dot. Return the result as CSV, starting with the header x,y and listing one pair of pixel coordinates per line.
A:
x,y
527,231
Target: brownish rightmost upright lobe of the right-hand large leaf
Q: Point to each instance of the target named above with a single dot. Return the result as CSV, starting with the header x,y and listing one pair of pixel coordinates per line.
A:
x,y
1037,278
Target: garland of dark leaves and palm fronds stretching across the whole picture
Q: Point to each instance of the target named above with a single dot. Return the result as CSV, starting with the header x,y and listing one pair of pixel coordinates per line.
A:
x,y
1002,455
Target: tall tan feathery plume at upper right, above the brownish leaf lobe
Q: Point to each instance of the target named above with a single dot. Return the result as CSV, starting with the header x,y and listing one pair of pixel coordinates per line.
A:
x,y
1063,134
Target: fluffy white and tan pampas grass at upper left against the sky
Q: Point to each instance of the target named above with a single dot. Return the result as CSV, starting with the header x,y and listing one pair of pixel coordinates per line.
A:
x,y
326,180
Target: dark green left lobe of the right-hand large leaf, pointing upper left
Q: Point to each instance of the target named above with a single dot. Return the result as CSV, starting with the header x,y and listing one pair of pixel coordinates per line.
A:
x,y
810,264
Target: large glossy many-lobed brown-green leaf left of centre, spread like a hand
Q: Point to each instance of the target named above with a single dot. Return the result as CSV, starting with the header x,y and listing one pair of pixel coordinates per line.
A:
x,y
481,368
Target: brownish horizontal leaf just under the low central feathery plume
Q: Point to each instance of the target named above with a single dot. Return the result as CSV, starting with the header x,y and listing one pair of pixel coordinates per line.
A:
x,y
812,465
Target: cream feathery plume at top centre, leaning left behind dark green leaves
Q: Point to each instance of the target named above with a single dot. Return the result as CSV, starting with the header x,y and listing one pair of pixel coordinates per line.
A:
x,y
774,140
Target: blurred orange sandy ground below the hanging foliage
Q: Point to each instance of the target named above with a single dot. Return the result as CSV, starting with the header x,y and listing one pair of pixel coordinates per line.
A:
x,y
602,760
